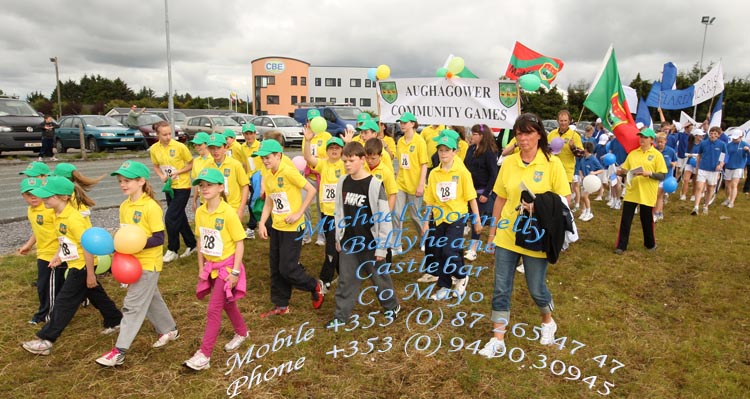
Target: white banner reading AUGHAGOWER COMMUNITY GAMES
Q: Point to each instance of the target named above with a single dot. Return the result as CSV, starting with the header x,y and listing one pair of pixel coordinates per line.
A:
x,y
455,101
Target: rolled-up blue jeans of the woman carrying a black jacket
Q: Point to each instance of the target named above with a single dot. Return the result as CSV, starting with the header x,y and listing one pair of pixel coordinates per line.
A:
x,y
505,271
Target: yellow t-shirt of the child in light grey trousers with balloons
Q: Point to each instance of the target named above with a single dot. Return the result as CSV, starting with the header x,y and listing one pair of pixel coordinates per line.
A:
x,y
147,214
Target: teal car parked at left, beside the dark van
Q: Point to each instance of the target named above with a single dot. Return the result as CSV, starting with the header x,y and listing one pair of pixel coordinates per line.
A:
x,y
99,132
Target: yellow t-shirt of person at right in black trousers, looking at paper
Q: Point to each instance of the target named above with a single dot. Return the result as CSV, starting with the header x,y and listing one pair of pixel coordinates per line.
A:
x,y
643,190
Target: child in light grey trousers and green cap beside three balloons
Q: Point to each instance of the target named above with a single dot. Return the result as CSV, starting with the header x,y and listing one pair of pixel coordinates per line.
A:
x,y
143,299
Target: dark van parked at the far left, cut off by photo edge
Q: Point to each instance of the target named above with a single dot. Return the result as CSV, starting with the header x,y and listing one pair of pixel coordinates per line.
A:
x,y
20,125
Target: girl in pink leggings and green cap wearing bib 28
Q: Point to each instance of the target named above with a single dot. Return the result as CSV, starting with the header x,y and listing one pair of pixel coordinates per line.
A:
x,y
220,268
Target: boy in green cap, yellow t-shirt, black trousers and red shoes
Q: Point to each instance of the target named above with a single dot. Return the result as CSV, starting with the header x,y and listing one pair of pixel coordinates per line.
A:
x,y
285,208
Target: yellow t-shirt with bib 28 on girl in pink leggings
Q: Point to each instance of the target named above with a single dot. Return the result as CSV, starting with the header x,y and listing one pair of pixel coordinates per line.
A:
x,y
218,231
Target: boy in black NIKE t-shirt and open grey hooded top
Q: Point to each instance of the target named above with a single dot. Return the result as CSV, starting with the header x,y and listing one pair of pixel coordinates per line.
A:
x,y
360,213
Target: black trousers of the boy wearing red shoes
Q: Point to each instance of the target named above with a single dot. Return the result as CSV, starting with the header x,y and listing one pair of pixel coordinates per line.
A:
x,y
286,271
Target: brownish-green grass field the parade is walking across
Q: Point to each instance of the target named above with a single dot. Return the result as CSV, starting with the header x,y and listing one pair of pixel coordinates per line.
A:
x,y
669,324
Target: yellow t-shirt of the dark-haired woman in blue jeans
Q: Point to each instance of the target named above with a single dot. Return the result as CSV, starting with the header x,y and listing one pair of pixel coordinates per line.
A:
x,y
539,176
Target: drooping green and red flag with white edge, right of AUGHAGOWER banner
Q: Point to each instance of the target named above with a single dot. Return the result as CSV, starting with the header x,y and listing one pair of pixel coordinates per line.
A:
x,y
607,100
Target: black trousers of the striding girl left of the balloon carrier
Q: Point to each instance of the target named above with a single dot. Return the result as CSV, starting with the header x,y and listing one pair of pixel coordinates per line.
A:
x,y
68,301
